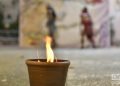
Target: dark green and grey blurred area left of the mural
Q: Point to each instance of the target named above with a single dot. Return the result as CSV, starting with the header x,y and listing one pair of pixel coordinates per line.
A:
x,y
9,22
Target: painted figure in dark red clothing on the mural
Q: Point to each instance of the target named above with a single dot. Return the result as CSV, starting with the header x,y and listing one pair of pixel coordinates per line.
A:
x,y
88,28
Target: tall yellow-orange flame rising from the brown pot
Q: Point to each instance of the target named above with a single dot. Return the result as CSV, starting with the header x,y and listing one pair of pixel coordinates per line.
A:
x,y
49,52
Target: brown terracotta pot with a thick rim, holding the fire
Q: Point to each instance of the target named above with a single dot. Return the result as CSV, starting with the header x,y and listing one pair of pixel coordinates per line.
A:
x,y
47,74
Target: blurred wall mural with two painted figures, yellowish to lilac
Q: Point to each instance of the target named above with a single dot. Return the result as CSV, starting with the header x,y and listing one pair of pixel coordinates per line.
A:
x,y
69,23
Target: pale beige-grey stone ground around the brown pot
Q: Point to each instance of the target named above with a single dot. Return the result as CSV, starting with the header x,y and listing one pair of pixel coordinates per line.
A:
x,y
88,67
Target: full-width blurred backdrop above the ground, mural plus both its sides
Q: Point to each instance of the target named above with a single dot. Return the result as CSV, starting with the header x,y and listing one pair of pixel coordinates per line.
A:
x,y
25,23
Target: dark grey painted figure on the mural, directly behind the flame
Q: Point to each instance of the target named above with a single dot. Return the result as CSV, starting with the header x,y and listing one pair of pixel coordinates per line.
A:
x,y
51,19
